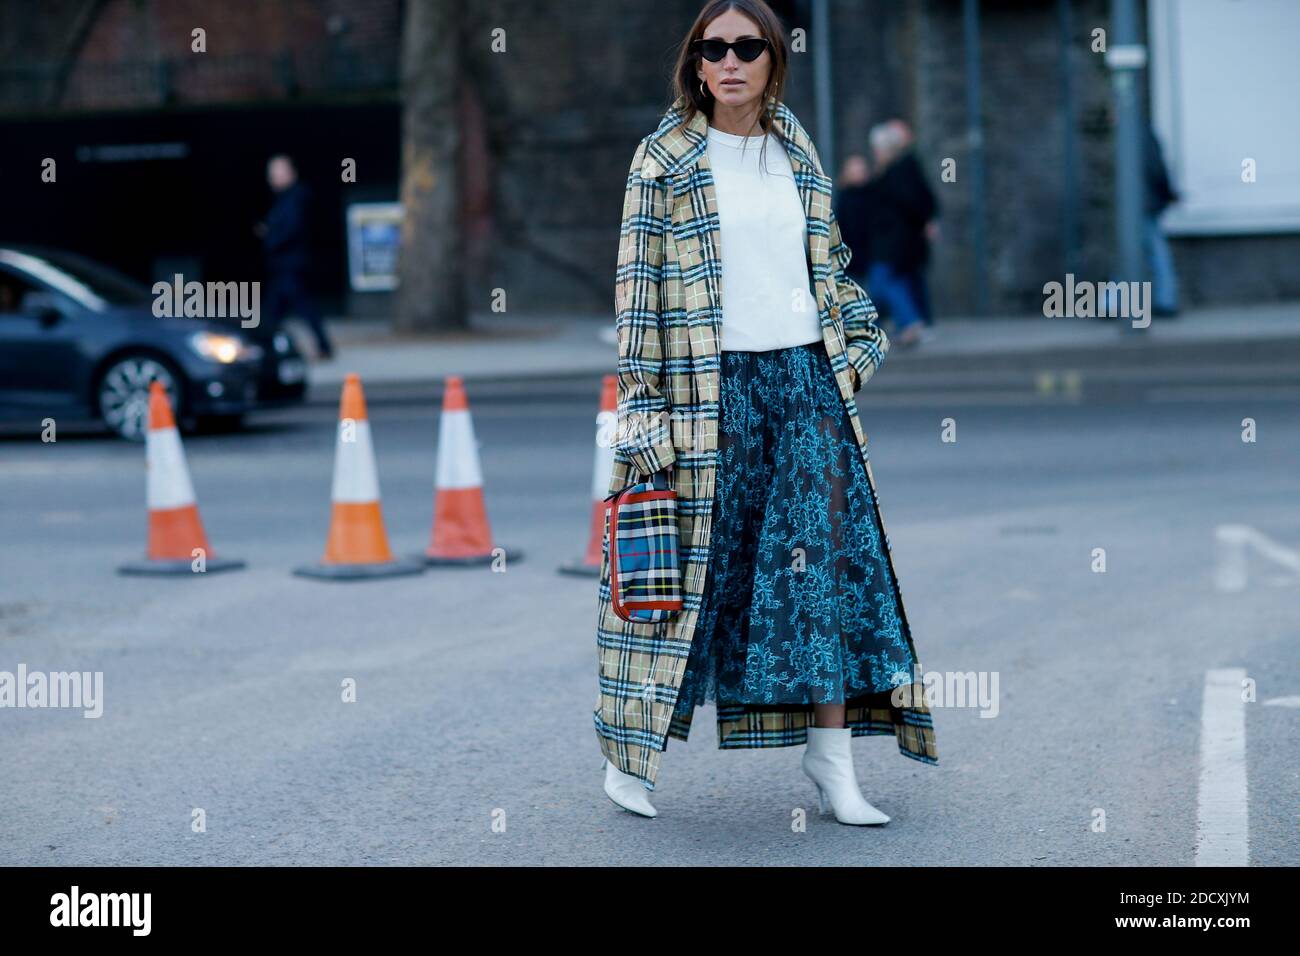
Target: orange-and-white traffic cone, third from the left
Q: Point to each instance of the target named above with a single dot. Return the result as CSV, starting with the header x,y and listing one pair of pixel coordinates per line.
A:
x,y
461,533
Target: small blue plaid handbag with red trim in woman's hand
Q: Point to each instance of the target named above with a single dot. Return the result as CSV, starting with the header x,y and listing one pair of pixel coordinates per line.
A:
x,y
642,540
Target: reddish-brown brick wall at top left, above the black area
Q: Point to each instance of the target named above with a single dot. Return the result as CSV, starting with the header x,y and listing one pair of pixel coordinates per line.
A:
x,y
137,54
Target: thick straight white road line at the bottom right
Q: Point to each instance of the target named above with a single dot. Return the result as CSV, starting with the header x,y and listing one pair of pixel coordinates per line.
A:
x,y
1223,829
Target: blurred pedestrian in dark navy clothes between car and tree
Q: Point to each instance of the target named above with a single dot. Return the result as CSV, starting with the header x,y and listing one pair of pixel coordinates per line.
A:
x,y
287,241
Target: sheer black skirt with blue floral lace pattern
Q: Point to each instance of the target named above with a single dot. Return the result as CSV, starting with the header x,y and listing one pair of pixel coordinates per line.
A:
x,y
799,604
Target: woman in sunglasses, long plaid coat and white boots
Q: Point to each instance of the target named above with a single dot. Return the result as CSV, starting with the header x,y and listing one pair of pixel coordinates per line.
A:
x,y
742,347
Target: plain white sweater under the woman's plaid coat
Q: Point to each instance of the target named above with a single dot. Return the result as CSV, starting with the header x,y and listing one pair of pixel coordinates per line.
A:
x,y
768,302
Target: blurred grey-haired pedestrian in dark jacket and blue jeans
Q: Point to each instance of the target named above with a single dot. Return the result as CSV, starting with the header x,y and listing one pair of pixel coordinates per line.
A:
x,y
903,209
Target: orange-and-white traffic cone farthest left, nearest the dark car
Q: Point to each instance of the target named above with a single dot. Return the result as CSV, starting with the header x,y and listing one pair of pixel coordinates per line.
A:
x,y
177,542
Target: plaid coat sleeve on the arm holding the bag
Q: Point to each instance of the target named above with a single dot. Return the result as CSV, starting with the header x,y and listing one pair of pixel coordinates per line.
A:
x,y
644,427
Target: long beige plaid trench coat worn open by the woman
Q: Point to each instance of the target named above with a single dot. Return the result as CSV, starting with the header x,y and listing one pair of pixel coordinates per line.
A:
x,y
669,304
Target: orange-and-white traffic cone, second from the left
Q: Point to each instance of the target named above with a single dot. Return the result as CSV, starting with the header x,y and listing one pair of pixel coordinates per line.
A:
x,y
357,547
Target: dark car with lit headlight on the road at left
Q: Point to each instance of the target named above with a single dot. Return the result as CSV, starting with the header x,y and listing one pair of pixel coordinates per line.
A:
x,y
79,338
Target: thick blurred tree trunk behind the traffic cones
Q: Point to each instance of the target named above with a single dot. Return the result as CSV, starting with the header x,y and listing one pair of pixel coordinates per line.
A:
x,y
431,293
